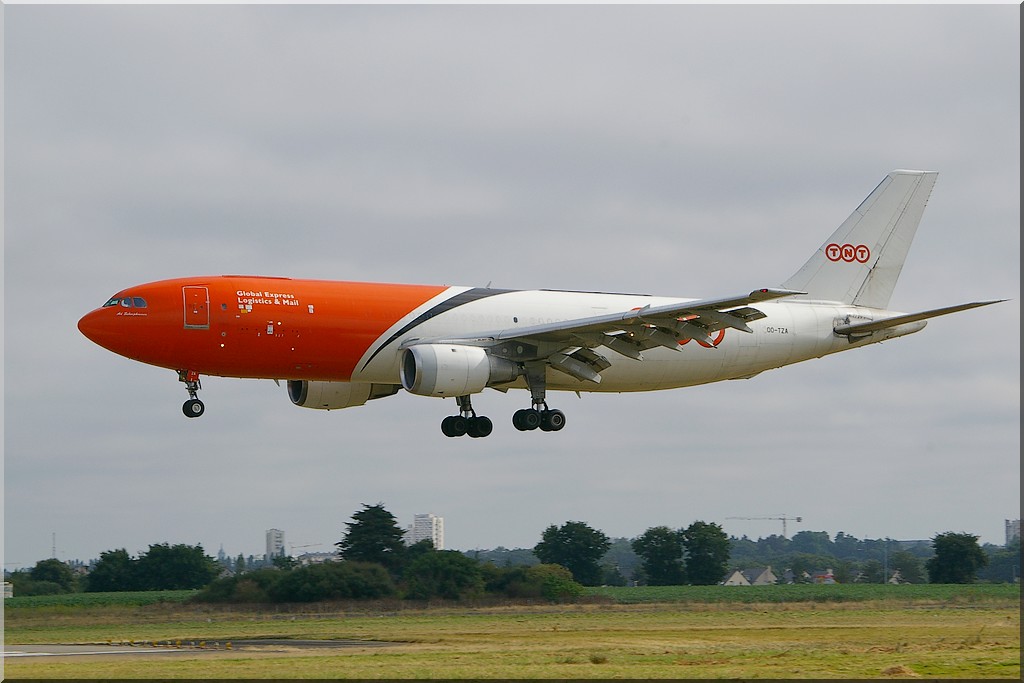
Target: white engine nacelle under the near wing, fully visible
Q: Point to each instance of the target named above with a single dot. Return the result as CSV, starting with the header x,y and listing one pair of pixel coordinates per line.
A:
x,y
451,370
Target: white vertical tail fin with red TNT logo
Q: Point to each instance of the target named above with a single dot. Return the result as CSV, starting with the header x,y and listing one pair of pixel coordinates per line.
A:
x,y
863,260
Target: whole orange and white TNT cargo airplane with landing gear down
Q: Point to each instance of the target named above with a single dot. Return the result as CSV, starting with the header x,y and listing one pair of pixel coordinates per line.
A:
x,y
339,345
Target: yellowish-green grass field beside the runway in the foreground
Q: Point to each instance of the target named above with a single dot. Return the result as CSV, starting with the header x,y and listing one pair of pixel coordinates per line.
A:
x,y
928,632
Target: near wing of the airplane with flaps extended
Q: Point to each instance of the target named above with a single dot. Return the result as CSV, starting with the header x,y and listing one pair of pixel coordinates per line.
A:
x,y
568,346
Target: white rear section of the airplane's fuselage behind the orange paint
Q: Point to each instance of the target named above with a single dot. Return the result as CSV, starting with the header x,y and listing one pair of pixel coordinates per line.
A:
x,y
790,333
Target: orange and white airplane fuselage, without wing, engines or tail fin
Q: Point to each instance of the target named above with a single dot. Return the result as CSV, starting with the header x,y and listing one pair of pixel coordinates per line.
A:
x,y
284,329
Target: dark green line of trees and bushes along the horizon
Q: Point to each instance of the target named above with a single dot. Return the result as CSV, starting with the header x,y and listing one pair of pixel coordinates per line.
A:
x,y
375,563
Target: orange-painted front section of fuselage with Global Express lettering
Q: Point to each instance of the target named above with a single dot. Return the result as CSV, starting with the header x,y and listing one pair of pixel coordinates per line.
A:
x,y
235,326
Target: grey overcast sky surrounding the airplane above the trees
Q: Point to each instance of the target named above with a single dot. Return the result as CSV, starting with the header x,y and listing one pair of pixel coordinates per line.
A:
x,y
682,151
